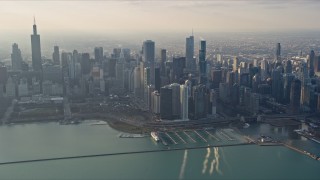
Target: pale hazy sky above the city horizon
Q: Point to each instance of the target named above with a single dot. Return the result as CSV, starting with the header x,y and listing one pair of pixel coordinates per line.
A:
x,y
159,15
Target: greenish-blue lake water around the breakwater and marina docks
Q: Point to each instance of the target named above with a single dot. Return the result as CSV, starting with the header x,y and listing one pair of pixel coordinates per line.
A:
x,y
50,140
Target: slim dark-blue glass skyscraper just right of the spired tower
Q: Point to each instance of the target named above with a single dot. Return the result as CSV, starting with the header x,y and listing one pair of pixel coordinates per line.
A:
x,y
202,62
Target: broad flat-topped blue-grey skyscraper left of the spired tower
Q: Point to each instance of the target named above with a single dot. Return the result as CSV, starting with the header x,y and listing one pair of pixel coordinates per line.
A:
x,y
148,57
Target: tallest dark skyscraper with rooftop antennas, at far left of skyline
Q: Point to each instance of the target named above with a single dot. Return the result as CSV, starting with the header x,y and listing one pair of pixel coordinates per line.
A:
x,y
36,50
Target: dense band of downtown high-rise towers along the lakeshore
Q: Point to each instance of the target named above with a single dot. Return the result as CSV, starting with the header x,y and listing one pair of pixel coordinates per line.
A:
x,y
180,88
